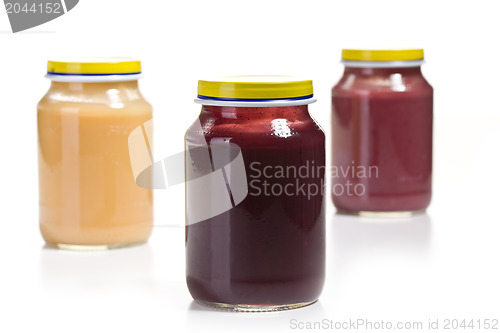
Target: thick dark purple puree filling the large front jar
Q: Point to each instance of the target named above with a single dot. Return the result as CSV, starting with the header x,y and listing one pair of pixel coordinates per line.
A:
x,y
269,249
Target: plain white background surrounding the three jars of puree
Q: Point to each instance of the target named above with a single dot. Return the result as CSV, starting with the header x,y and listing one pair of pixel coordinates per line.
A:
x,y
441,265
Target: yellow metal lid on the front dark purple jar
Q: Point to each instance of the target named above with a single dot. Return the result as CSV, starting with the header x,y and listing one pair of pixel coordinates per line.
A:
x,y
255,88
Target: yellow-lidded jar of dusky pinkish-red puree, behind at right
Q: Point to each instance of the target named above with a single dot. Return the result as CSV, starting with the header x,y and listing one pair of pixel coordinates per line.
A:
x,y
382,134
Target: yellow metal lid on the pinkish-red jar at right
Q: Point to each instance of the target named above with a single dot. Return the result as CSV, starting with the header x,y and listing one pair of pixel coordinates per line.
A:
x,y
382,55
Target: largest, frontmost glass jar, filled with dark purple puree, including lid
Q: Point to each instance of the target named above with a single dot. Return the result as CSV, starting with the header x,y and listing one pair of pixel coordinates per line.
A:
x,y
255,165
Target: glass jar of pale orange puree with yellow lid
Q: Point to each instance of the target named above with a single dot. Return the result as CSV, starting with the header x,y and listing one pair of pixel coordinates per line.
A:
x,y
88,195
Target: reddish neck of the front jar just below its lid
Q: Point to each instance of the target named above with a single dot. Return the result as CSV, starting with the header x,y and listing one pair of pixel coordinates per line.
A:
x,y
261,113
